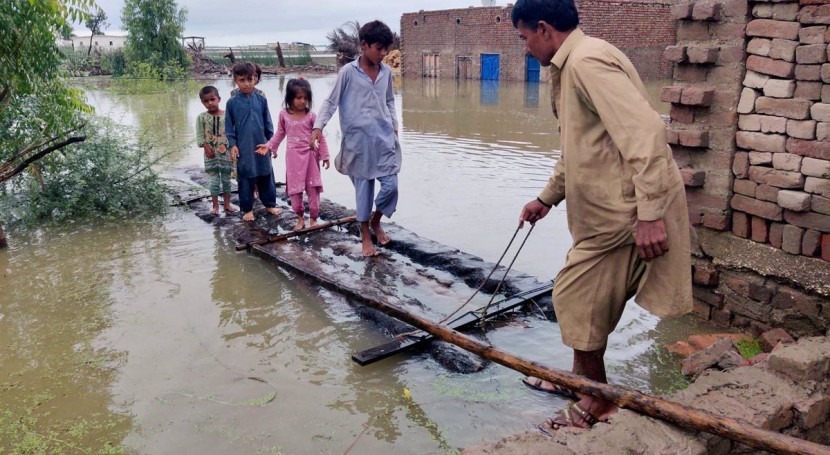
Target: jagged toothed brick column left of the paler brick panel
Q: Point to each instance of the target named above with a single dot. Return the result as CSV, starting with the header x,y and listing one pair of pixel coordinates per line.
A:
x,y
709,63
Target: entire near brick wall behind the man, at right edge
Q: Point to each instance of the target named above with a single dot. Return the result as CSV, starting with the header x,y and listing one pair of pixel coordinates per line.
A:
x,y
750,128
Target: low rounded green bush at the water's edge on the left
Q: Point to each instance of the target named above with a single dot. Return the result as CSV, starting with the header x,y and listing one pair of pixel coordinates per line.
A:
x,y
110,175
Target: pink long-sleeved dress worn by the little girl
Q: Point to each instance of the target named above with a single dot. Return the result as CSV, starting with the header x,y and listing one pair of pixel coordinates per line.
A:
x,y
302,164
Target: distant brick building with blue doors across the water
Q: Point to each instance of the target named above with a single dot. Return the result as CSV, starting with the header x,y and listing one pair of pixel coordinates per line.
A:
x,y
481,43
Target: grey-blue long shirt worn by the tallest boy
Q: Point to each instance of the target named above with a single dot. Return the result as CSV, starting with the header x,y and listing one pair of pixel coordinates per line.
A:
x,y
369,148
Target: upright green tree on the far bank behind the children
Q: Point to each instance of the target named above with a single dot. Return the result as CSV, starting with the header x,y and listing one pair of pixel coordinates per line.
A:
x,y
154,31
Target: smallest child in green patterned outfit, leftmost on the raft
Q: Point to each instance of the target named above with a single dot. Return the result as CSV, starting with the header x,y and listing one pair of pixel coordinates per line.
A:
x,y
210,134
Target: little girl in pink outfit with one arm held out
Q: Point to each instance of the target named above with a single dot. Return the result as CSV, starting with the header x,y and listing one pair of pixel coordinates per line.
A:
x,y
302,161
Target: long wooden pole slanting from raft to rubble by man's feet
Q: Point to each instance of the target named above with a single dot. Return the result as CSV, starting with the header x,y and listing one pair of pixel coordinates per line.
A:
x,y
659,408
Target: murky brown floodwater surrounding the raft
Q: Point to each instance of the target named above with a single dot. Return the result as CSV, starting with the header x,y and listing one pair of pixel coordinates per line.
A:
x,y
156,337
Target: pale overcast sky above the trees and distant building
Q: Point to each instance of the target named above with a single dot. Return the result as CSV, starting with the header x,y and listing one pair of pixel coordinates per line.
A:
x,y
242,22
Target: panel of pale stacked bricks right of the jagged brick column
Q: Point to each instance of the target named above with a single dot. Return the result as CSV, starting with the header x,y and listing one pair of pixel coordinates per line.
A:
x,y
782,170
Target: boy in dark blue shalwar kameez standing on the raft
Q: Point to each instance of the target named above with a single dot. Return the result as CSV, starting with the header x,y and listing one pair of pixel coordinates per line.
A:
x,y
248,123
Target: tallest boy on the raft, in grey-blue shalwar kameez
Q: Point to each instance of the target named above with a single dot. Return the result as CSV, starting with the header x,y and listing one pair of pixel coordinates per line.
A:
x,y
369,150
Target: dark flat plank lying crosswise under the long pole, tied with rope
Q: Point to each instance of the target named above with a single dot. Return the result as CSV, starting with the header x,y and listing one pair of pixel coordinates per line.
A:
x,y
465,321
